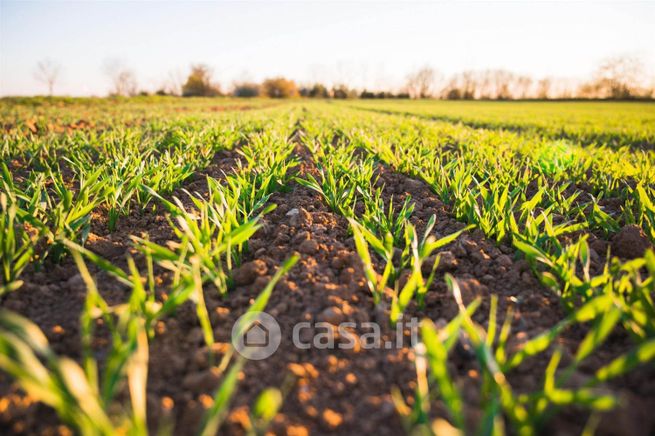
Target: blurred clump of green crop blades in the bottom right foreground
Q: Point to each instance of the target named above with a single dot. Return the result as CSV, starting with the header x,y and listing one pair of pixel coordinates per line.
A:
x,y
526,413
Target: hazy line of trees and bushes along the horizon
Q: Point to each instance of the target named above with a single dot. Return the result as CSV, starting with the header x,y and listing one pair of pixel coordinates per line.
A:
x,y
618,78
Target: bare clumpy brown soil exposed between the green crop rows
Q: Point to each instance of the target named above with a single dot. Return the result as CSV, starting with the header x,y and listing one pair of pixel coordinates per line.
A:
x,y
331,391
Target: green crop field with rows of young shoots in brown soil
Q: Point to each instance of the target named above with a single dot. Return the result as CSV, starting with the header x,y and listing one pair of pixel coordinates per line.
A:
x,y
137,235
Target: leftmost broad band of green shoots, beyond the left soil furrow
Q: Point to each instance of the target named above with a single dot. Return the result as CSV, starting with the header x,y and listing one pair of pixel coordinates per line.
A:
x,y
57,182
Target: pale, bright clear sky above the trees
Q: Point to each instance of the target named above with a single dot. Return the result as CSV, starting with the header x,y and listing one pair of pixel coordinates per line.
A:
x,y
365,44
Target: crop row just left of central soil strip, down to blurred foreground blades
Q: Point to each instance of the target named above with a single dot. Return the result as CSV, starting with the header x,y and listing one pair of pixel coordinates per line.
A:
x,y
212,235
